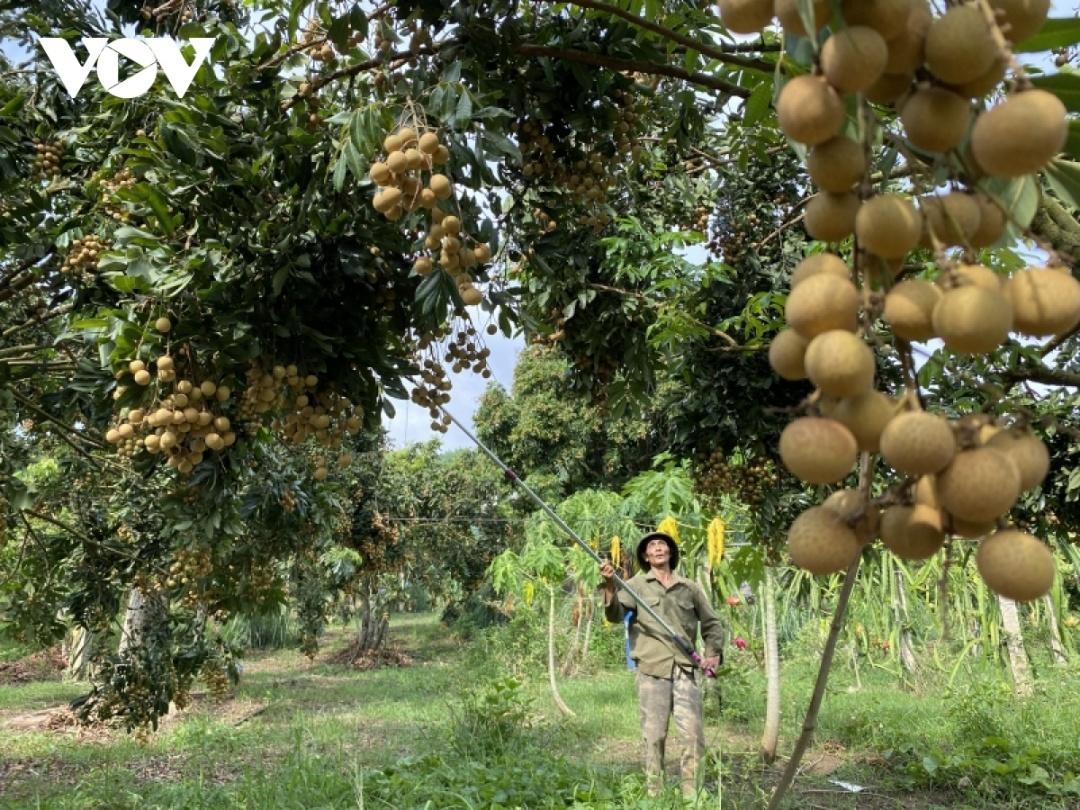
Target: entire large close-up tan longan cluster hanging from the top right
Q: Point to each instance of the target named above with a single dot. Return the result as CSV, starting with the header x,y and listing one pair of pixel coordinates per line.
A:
x,y
960,477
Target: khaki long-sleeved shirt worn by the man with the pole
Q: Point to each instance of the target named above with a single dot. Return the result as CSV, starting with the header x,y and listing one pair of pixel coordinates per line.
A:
x,y
683,606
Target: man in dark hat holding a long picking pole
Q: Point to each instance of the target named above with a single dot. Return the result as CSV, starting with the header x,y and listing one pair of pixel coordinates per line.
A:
x,y
668,682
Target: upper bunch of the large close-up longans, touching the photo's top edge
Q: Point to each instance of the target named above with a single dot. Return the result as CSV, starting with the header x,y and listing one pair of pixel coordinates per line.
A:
x,y
964,59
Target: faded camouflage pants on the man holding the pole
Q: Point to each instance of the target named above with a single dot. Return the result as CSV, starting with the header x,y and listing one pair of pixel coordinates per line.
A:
x,y
659,699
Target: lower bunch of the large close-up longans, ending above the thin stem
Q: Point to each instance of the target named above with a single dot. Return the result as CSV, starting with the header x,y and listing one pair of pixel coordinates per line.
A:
x,y
968,474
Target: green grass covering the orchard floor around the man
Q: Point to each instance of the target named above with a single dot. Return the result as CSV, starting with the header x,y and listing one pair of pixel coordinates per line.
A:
x,y
302,735
